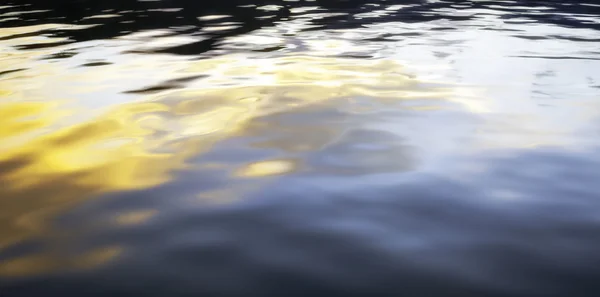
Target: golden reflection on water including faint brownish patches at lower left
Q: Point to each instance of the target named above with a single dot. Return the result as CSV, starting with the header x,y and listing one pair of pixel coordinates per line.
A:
x,y
58,150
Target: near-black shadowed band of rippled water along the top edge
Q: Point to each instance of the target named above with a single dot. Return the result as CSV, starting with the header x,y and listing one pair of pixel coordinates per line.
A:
x,y
111,19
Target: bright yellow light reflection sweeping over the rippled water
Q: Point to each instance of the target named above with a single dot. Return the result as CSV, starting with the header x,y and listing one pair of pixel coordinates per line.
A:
x,y
140,145
